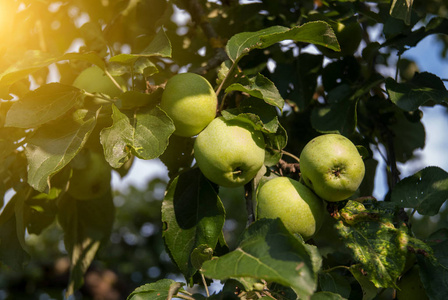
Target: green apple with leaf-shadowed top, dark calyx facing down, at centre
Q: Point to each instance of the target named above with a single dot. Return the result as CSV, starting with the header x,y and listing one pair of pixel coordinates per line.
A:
x,y
229,152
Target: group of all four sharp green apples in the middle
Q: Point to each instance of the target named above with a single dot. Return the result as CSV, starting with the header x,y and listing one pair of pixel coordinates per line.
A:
x,y
230,153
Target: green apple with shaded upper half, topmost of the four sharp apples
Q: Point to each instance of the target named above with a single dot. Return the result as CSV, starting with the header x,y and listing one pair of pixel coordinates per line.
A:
x,y
190,101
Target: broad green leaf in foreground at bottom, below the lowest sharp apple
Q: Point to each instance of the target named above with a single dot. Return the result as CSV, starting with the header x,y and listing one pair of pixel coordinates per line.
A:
x,y
270,252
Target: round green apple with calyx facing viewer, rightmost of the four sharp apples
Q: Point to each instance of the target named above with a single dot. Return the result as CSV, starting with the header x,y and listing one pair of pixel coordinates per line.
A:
x,y
331,165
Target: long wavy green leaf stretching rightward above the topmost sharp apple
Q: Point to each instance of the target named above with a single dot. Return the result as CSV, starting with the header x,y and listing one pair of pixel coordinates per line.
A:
x,y
319,33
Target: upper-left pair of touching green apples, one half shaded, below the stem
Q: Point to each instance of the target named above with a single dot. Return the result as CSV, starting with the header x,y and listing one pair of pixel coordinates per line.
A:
x,y
228,152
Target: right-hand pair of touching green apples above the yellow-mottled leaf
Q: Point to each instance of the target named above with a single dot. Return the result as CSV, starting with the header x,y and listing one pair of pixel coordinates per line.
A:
x,y
331,170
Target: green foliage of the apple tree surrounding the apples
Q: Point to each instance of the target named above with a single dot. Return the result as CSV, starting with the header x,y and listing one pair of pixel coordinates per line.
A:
x,y
46,131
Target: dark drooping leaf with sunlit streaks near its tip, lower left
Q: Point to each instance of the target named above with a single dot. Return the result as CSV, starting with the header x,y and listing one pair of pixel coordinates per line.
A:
x,y
86,224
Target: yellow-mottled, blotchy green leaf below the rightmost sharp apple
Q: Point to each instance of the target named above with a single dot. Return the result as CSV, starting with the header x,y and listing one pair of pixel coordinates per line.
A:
x,y
374,241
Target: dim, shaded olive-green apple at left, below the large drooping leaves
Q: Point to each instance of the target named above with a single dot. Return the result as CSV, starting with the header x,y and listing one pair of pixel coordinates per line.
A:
x,y
91,176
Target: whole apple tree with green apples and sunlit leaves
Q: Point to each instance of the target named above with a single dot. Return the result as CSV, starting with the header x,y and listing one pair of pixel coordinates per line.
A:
x,y
227,94
